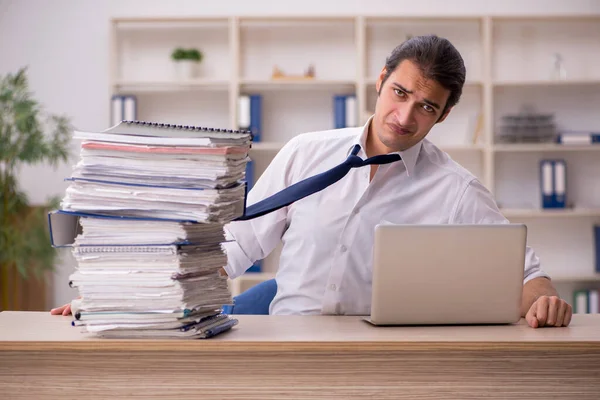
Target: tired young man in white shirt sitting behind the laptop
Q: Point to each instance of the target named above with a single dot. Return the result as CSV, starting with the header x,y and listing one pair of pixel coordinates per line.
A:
x,y
325,264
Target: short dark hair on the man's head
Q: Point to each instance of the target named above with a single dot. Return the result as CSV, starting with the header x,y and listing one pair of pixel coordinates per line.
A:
x,y
437,59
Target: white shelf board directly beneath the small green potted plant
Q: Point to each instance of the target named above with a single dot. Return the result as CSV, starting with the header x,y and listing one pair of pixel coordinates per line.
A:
x,y
171,86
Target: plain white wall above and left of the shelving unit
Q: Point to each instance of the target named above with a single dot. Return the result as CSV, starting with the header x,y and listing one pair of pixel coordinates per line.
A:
x,y
65,43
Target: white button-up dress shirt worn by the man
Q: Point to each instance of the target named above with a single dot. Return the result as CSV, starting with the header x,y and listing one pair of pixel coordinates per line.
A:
x,y
326,259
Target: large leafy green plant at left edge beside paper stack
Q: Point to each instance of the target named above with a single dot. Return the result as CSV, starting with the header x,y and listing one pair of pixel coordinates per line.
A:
x,y
27,137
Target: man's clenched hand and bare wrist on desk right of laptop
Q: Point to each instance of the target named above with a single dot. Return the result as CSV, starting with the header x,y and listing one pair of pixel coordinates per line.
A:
x,y
541,305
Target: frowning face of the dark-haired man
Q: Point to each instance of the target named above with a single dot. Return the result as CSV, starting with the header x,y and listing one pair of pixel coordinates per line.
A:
x,y
407,108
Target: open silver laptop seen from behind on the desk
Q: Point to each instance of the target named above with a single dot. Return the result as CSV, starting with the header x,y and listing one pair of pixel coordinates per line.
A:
x,y
447,274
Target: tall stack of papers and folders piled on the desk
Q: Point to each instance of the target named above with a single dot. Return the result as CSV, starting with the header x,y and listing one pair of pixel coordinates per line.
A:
x,y
152,200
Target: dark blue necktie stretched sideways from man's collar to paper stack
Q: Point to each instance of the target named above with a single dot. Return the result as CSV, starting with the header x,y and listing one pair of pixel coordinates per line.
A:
x,y
314,184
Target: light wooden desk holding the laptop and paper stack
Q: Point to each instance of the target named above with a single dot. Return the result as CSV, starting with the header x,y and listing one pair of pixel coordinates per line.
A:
x,y
42,356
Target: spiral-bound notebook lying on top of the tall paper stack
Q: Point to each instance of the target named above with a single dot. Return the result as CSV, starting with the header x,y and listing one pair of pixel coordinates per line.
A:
x,y
156,133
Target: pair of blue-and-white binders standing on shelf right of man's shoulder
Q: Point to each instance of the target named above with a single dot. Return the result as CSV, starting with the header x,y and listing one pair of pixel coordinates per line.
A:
x,y
553,181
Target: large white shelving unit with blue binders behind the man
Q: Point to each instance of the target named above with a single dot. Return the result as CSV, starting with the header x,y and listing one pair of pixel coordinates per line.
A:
x,y
509,65
